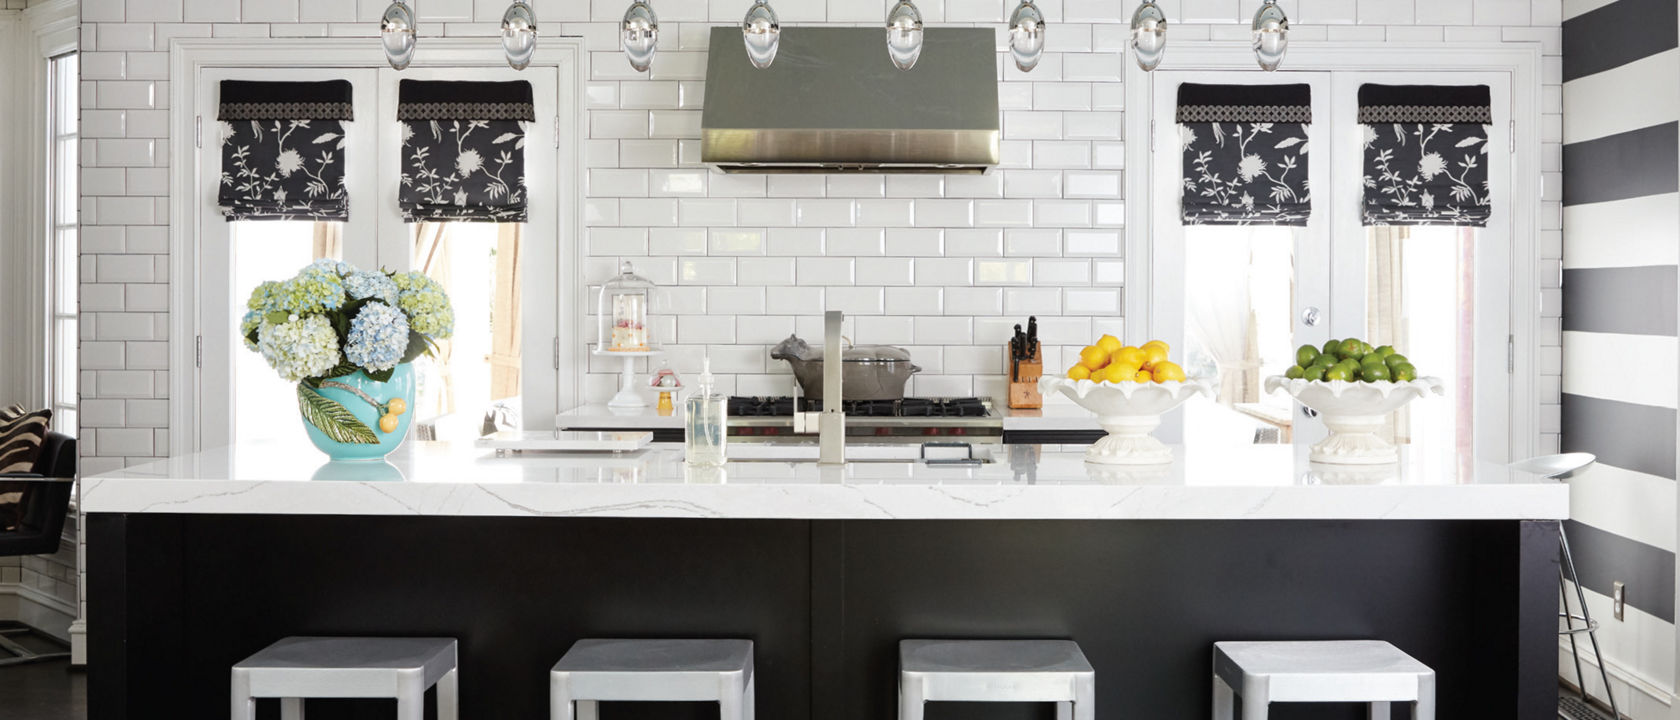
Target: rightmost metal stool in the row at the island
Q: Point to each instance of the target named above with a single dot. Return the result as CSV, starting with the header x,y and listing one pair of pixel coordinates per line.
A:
x,y
1320,672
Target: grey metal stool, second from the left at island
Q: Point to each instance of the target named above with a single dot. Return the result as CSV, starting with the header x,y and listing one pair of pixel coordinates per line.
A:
x,y
653,670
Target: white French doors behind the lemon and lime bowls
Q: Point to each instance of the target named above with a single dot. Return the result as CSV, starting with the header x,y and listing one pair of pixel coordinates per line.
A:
x,y
1239,301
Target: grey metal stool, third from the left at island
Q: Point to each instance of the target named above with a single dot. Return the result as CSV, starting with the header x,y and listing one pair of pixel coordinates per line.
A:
x,y
995,670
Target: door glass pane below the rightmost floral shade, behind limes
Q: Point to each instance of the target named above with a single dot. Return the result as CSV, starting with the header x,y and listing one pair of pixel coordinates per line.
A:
x,y
1420,291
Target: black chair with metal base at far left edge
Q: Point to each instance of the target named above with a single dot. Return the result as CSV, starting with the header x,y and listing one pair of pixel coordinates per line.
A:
x,y
38,526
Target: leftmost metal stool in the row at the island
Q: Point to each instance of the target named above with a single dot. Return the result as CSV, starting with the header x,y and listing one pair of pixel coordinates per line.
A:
x,y
297,669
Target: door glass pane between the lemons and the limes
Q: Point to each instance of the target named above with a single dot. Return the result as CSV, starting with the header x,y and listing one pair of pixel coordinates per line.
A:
x,y
1239,300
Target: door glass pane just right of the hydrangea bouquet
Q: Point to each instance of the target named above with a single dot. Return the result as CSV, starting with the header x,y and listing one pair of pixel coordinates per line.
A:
x,y
471,385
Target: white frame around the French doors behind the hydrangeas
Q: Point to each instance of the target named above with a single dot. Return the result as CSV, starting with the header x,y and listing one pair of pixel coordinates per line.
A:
x,y
189,58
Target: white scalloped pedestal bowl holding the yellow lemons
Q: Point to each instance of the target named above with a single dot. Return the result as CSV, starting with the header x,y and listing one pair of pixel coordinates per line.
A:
x,y
1130,412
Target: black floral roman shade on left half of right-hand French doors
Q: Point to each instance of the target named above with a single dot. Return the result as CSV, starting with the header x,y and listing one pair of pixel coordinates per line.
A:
x,y
1246,154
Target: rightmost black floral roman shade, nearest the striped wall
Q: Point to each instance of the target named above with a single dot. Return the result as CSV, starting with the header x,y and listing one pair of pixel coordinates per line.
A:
x,y
1425,155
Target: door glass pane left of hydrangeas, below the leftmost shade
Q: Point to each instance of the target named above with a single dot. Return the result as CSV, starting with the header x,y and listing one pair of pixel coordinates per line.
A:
x,y
265,404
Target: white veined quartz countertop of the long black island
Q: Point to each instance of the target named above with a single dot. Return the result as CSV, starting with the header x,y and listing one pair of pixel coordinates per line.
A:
x,y
1022,483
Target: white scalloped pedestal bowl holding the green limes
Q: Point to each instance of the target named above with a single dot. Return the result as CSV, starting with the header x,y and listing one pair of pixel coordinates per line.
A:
x,y
1355,414
